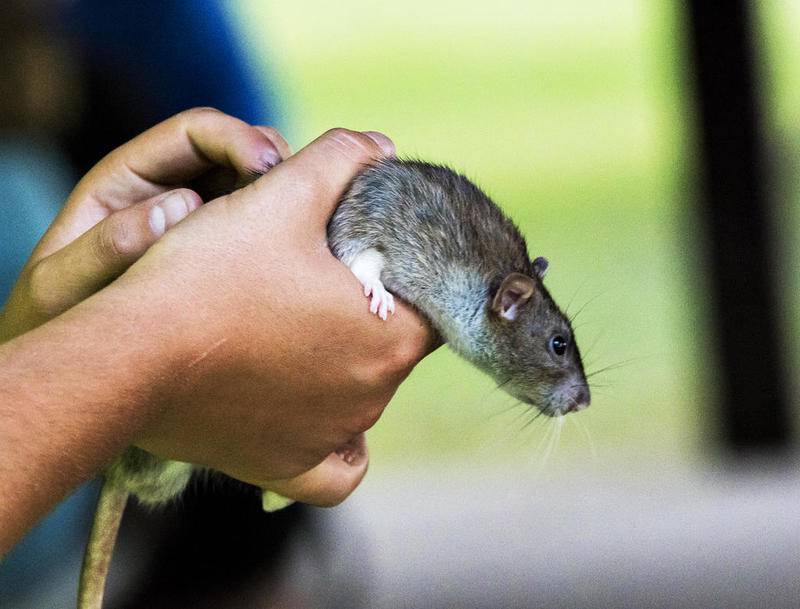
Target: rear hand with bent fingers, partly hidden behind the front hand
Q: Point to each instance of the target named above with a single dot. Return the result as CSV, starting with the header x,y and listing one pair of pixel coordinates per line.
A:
x,y
127,201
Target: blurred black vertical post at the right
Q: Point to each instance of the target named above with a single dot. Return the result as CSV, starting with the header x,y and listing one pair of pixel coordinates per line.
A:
x,y
736,209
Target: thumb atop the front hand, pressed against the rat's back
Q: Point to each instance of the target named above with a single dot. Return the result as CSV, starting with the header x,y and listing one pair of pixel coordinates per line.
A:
x,y
319,174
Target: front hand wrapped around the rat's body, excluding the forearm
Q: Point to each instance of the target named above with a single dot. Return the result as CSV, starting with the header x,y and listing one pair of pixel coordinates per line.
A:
x,y
274,360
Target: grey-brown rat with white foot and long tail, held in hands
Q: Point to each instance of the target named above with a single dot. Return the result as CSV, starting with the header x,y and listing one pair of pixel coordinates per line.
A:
x,y
428,235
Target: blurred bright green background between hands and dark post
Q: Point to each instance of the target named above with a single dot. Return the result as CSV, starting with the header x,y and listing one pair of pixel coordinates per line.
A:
x,y
572,115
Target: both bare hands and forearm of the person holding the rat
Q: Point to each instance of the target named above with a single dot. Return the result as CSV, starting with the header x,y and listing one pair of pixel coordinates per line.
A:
x,y
237,341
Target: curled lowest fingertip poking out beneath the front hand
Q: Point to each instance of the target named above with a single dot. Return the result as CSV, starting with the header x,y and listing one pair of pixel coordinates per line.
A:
x,y
330,482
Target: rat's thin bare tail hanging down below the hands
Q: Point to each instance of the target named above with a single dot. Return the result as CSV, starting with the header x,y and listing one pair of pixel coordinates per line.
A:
x,y
99,549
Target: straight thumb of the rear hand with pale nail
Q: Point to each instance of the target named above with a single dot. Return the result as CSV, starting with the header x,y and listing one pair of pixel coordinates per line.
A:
x,y
104,252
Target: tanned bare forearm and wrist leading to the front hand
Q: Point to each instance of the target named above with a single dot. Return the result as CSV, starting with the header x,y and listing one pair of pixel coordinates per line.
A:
x,y
73,393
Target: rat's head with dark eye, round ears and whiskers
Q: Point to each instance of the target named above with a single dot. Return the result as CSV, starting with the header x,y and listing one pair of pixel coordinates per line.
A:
x,y
535,357
